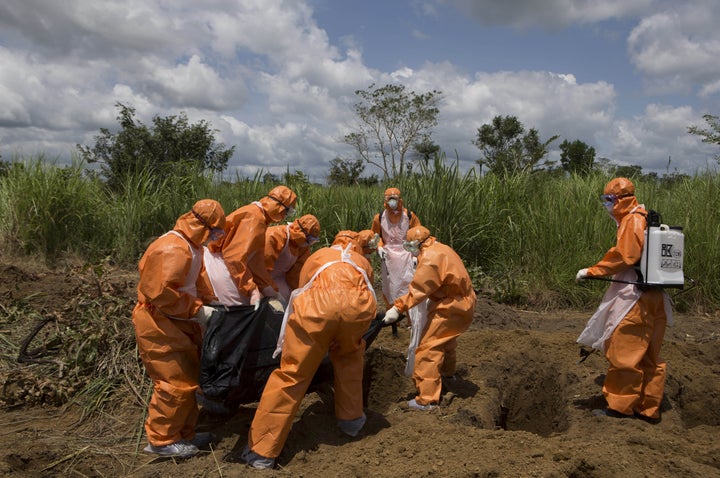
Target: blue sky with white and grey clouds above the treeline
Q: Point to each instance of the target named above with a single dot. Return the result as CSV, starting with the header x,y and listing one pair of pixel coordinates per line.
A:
x,y
277,78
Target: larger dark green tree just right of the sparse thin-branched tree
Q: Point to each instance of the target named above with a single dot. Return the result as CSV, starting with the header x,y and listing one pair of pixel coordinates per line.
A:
x,y
507,149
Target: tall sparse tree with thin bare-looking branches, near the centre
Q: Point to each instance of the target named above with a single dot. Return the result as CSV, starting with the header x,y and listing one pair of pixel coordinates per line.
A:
x,y
390,122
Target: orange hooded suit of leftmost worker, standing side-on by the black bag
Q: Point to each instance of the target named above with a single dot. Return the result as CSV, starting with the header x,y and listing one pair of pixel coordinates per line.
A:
x,y
171,291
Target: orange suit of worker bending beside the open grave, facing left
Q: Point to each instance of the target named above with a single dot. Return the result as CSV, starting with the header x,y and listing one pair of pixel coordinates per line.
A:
x,y
441,277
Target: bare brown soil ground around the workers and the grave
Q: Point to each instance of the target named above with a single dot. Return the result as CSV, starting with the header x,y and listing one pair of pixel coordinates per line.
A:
x,y
519,406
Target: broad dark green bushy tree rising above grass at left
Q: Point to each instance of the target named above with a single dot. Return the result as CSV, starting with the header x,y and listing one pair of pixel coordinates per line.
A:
x,y
171,144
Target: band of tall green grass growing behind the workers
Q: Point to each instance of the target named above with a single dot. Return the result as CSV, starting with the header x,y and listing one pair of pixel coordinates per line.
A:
x,y
523,238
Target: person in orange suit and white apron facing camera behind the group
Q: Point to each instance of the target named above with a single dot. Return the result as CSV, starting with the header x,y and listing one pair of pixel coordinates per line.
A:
x,y
392,225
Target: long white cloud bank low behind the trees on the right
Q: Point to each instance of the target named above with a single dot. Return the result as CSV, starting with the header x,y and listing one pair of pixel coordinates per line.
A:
x,y
556,103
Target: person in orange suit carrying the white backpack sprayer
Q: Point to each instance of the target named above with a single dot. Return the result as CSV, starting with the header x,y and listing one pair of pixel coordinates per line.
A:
x,y
629,326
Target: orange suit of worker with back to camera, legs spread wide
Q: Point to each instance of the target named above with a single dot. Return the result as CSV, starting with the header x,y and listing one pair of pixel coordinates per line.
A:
x,y
331,312
